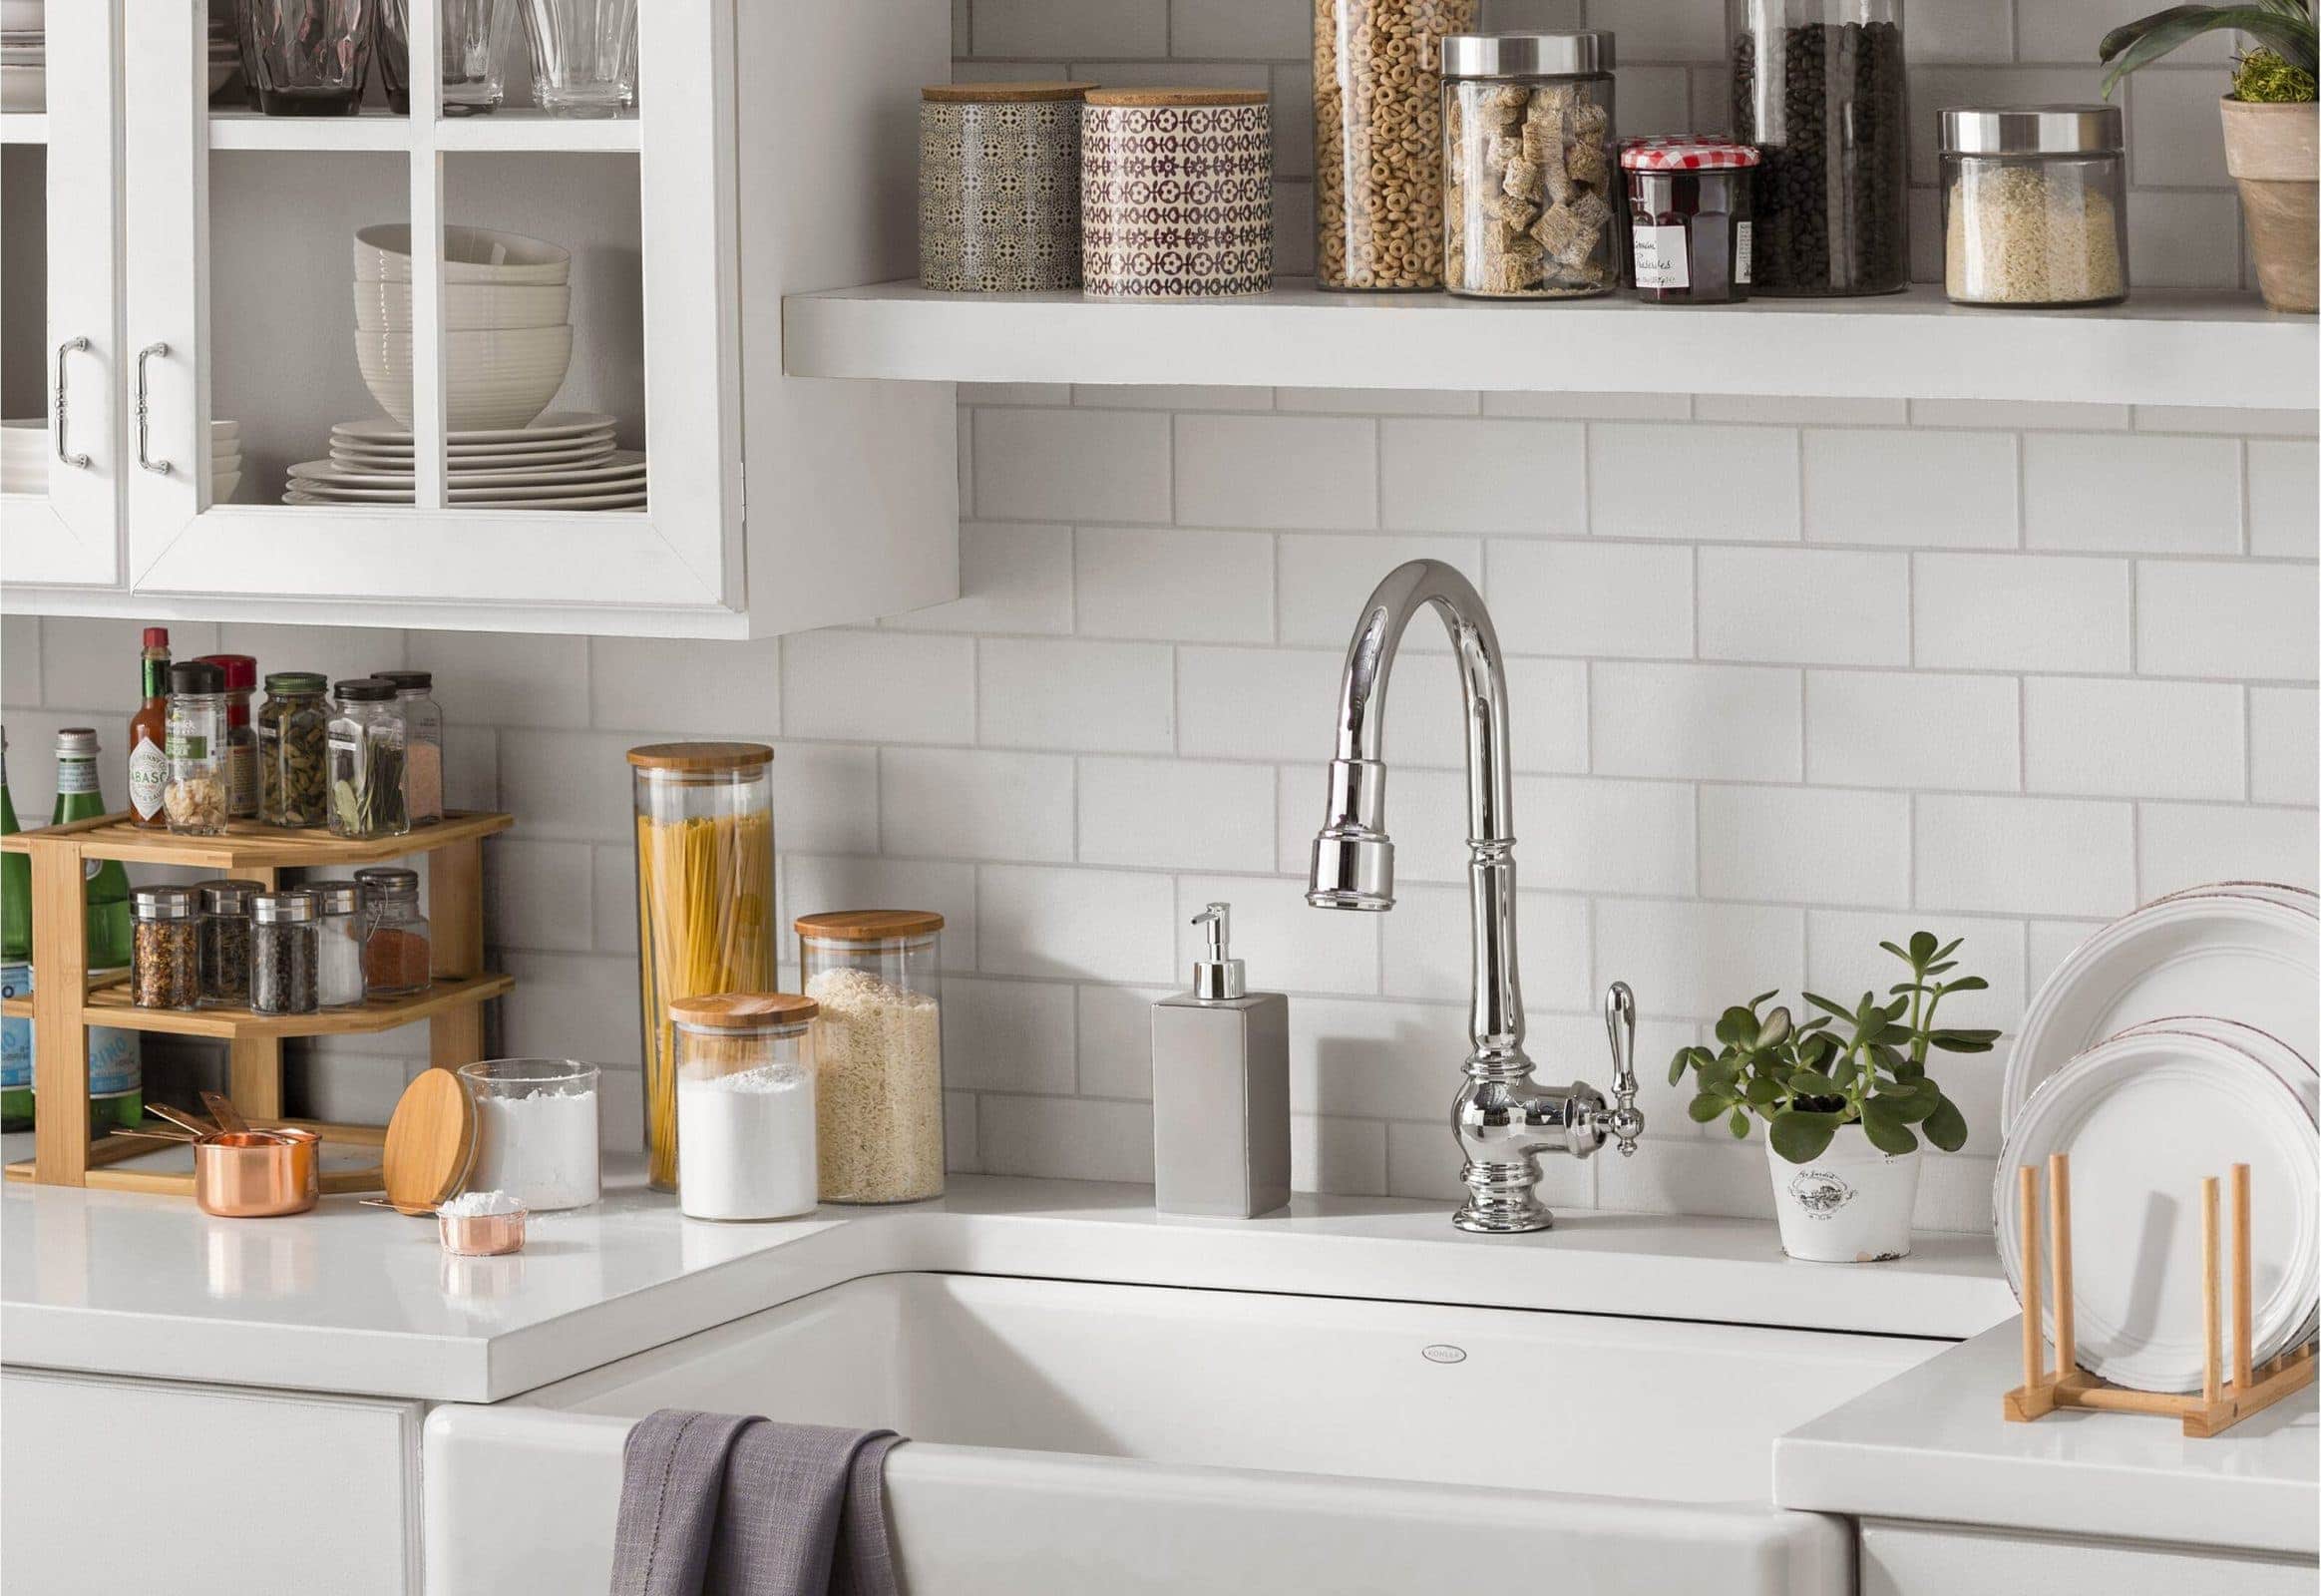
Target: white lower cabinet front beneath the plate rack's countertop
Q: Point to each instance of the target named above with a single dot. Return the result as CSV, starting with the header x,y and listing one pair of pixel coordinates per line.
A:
x,y
1948,1560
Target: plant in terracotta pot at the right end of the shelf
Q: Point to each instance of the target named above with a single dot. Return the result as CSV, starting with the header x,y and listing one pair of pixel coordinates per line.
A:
x,y
2269,126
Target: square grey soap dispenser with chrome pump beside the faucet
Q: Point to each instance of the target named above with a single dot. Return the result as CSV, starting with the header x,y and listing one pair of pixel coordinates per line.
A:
x,y
1222,1089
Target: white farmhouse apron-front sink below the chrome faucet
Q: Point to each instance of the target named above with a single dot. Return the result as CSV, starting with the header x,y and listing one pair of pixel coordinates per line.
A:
x,y
1159,1439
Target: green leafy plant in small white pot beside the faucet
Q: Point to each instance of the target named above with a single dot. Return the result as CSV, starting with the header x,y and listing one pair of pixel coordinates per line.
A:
x,y
1839,1096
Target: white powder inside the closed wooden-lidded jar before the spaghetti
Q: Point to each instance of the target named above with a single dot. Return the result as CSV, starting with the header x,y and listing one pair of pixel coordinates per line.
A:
x,y
746,1145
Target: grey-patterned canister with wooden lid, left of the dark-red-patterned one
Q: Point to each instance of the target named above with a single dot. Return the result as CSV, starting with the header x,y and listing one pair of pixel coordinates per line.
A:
x,y
999,187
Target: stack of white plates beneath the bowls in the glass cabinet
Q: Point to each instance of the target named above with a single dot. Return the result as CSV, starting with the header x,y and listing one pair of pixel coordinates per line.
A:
x,y
561,463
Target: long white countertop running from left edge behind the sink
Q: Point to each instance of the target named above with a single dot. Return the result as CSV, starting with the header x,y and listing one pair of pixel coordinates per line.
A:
x,y
363,1300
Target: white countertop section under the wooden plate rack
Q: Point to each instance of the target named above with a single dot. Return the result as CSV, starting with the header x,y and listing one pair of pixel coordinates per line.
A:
x,y
1930,1444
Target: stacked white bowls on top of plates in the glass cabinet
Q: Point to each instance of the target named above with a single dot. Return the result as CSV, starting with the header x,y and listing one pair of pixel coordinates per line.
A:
x,y
507,324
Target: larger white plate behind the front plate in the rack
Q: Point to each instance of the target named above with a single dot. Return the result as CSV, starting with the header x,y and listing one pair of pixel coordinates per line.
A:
x,y
2215,952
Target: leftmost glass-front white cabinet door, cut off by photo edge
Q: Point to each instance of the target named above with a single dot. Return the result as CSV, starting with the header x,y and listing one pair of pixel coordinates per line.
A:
x,y
59,324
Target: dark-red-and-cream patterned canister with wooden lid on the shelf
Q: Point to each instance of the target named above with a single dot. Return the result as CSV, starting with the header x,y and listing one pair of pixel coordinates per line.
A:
x,y
1176,194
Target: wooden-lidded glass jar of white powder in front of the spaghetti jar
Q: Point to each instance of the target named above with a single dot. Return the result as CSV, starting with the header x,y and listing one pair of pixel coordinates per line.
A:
x,y
746,1105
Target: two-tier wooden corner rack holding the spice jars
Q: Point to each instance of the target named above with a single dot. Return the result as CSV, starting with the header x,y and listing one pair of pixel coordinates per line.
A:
x,y
66,1003
